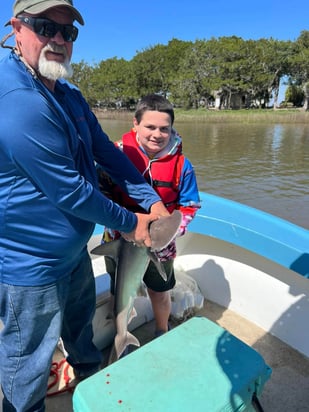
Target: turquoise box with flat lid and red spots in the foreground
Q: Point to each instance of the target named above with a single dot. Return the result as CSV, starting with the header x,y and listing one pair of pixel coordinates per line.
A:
x,y
196,366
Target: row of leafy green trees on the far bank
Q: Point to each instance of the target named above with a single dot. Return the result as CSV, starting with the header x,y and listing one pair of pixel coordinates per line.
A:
x,y
222,73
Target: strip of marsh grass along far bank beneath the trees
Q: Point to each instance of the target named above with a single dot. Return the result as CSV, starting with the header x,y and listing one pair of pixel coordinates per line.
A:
x,y
217,116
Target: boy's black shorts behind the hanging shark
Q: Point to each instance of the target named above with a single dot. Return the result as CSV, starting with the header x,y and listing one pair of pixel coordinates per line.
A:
x,y
152,278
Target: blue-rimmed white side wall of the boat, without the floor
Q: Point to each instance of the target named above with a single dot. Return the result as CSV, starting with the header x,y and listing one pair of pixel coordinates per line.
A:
x,y
243,259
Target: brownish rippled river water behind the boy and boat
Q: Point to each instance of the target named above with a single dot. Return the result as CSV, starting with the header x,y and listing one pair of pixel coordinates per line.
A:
x,y
264,166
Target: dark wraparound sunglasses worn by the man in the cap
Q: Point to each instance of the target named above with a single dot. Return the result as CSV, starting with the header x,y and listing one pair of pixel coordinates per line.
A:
x,y
48,28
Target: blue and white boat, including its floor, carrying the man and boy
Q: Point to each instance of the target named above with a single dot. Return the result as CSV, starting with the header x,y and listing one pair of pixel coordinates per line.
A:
x,y
252,270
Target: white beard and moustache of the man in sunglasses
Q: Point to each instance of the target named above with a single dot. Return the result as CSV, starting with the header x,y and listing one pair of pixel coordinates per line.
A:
x,y
54,70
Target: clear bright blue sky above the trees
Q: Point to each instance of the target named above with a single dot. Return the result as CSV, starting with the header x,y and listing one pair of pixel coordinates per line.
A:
x,y
122,28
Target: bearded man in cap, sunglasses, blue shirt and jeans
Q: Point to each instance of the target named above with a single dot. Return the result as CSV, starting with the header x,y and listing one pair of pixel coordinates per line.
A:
x,y
50,202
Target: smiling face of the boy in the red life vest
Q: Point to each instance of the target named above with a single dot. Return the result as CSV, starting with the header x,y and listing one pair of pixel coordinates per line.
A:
x,y
154,131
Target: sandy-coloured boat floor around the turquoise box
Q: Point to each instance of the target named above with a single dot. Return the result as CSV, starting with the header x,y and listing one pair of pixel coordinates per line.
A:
x,y
288,387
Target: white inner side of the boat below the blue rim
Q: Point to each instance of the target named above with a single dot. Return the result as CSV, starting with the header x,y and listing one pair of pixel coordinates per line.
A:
x,y
269,295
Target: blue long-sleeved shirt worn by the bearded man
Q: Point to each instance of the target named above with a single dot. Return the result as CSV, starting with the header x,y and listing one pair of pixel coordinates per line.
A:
x,y
49,196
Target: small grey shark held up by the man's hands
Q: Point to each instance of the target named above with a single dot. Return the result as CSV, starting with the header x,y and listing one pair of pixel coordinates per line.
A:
x,y
131,264
